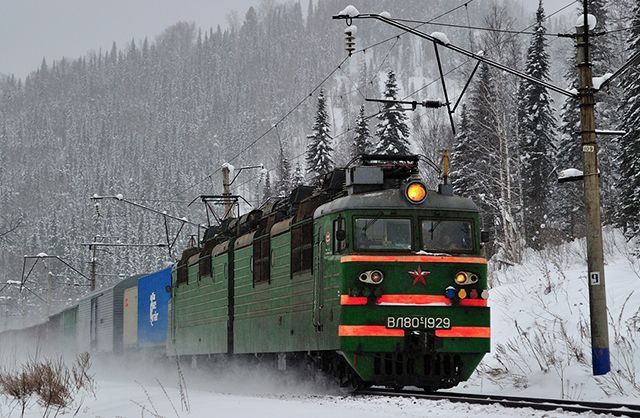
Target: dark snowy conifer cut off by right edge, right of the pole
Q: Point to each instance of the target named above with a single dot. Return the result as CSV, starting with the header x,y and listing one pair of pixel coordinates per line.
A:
x,y
629,182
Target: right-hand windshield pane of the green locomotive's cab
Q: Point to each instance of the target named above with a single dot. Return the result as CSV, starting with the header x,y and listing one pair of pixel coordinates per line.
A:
x,y
441,235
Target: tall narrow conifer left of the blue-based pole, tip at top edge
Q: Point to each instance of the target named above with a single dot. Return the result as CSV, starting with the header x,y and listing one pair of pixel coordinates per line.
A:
x,y
536,128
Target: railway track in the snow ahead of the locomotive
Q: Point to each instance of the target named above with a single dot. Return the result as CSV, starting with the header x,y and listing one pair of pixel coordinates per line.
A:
x,y
628,410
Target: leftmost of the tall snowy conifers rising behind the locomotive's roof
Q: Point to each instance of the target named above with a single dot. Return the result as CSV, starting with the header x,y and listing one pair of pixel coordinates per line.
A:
x,y
319,149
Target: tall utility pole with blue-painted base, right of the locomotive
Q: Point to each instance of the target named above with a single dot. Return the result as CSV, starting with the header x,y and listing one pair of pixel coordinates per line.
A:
x,y
595,257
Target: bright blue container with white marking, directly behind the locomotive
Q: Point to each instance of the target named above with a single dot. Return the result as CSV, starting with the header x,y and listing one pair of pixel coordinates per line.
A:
x,y
153,308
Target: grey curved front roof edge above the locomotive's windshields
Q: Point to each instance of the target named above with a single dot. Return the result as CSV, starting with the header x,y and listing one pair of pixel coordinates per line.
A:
x,y
395,199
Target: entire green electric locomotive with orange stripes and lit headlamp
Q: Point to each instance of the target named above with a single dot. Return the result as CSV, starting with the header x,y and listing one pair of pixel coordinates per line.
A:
x,y
370,277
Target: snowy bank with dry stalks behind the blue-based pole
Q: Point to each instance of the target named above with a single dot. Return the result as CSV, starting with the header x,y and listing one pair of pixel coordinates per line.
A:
x,y
540,326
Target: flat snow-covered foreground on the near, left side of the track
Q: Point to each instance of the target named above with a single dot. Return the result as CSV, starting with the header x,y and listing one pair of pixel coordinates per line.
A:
x,y
262,395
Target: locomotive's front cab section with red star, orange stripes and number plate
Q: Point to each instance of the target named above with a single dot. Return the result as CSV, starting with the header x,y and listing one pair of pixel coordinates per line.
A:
x,y
411,278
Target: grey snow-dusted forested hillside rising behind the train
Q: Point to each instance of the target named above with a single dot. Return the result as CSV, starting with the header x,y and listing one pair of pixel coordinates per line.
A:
x,y
152,119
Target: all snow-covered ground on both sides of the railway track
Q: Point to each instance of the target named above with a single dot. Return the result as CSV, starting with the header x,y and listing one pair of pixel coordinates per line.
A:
x,y
541,347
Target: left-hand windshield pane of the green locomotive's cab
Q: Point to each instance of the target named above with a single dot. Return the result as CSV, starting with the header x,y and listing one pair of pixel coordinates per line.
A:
x,y
383,234
